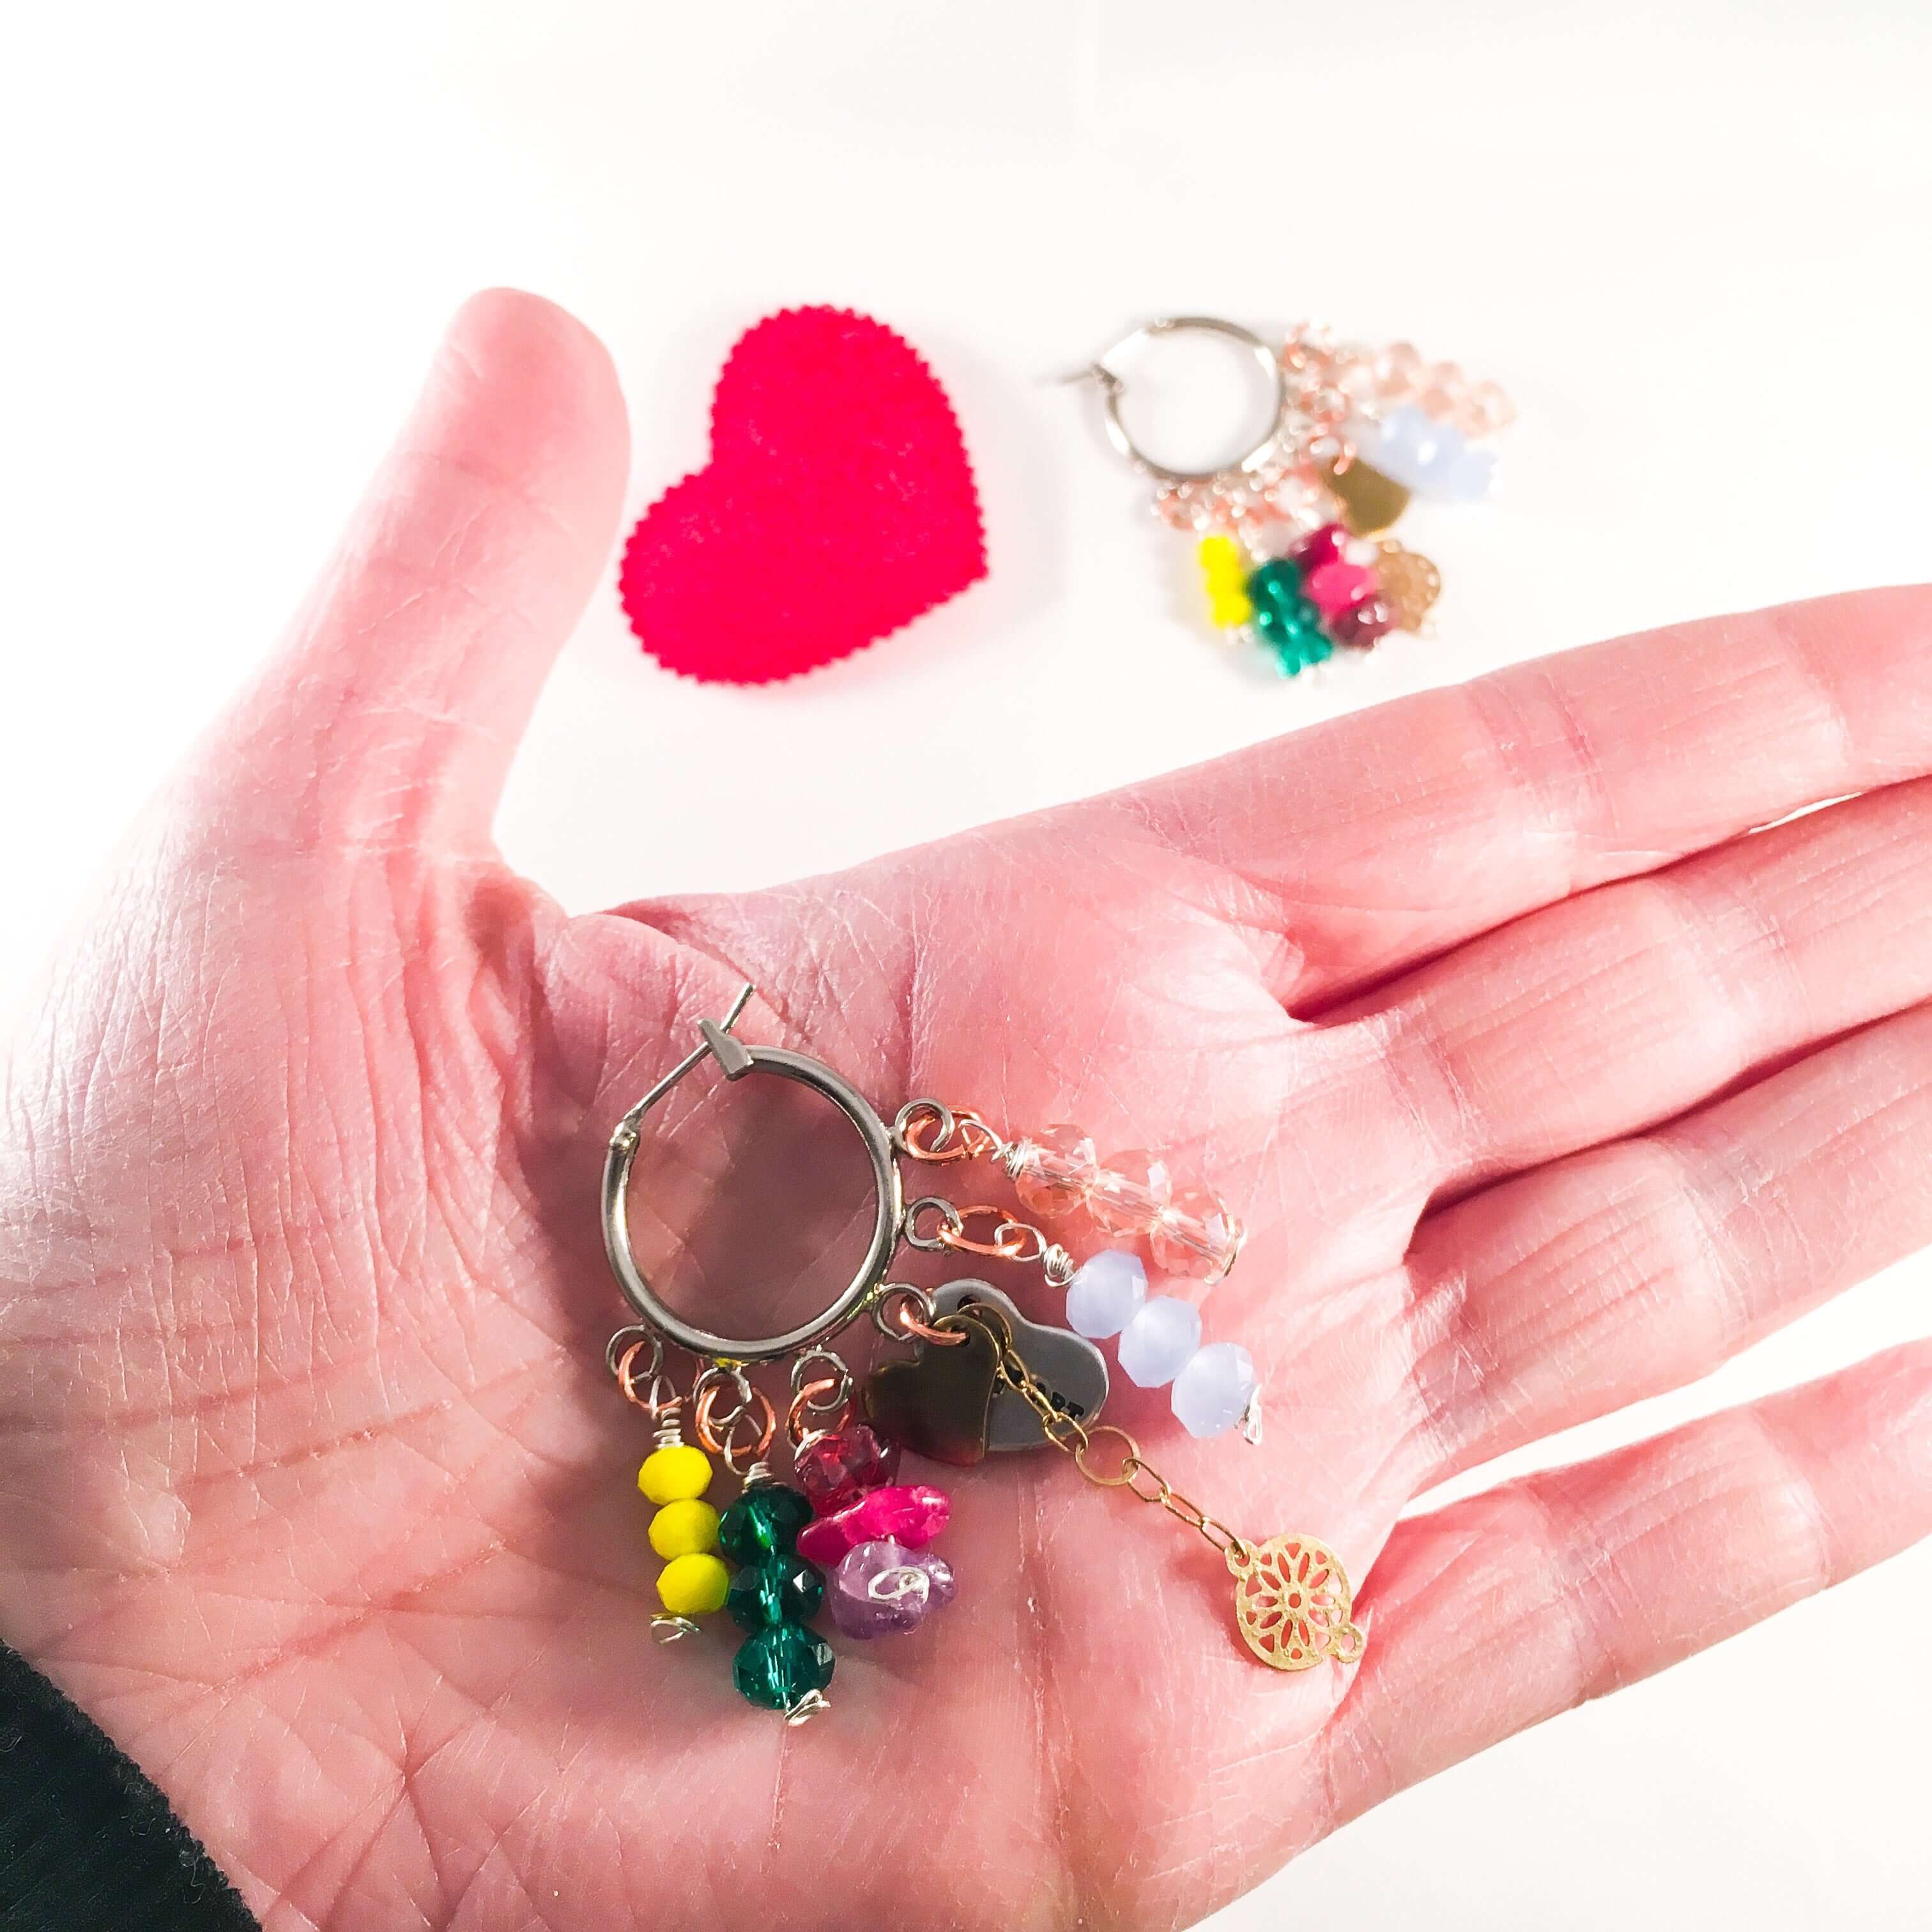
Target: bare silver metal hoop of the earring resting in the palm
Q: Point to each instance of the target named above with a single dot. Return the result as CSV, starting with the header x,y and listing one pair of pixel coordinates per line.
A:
x,y
735,1062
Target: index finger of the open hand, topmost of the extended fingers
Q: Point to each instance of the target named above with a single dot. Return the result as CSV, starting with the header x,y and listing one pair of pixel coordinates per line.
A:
x,y
1396,834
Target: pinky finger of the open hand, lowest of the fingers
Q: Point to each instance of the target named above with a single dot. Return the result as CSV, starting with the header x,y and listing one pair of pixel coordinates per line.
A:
x,y
1531,1599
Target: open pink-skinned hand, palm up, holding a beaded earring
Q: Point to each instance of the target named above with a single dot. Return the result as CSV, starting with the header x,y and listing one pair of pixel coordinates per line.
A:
x,y
1539,1089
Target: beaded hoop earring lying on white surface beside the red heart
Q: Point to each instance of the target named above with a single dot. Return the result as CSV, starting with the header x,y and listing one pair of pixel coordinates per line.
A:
x,y
1293,534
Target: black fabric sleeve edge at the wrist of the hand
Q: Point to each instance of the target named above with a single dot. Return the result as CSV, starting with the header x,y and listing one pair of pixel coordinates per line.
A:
x,y
86,1842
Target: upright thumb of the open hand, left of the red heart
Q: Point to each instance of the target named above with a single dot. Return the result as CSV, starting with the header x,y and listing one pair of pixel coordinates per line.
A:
x,y
395,706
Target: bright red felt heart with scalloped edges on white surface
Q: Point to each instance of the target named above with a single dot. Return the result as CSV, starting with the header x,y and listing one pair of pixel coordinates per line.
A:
x,y
838,507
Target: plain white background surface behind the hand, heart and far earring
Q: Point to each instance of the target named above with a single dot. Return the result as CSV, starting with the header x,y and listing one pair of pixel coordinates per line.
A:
x,y
1691,239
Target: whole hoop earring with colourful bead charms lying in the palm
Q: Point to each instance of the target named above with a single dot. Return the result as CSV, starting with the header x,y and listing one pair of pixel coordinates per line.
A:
x,y
849,1535
